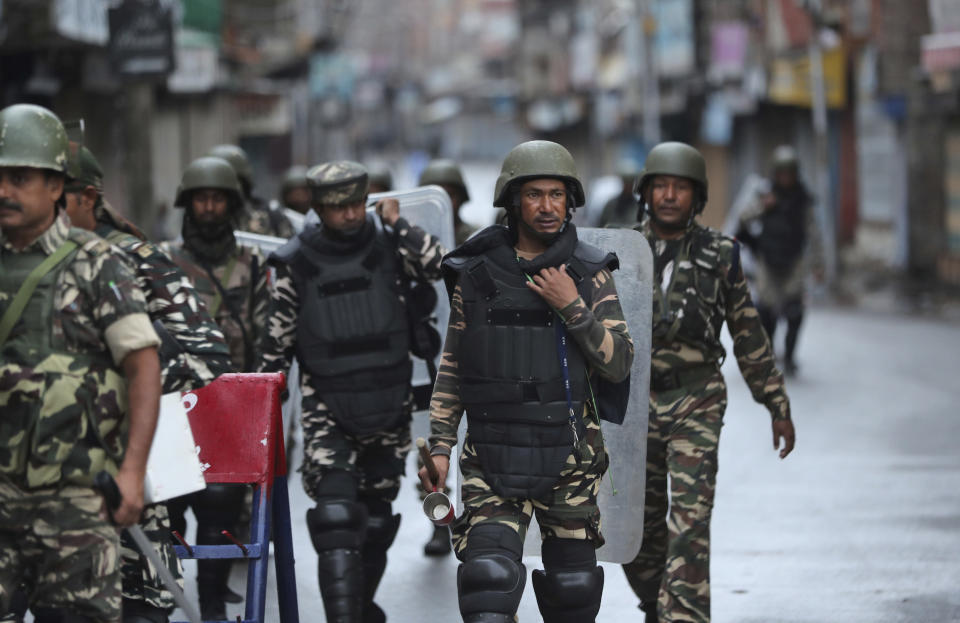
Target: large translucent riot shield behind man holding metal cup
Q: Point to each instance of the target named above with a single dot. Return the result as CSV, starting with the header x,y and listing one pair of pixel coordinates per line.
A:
x,y
622,491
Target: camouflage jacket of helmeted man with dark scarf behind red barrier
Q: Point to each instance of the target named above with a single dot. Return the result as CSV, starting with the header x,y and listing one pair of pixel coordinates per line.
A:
x,y
240,314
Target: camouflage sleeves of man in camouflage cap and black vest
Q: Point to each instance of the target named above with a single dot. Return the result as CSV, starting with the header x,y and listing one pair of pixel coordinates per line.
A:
x,y
420,254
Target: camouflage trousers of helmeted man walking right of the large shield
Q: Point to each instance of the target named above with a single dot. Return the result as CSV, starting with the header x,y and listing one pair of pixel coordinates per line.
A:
x,y
673,566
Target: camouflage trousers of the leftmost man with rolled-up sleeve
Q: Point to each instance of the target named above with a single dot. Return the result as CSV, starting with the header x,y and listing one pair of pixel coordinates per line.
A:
x,y
55,546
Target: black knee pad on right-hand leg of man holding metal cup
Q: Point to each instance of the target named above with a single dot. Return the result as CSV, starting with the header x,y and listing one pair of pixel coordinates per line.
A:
x,y
570,589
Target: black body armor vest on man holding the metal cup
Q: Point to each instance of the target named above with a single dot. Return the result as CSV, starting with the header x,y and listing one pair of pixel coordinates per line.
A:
x,y
511,380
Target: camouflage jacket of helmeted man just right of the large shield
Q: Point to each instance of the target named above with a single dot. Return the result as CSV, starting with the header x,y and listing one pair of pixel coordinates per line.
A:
x,y
699,289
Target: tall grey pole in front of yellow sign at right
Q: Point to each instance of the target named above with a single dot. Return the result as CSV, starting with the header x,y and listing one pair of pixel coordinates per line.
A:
x,y
821,164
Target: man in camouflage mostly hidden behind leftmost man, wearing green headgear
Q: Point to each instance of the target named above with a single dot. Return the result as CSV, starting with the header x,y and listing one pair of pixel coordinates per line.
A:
x,y
193,353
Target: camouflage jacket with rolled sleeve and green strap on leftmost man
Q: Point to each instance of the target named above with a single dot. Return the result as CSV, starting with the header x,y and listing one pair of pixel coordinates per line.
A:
x,y
62,395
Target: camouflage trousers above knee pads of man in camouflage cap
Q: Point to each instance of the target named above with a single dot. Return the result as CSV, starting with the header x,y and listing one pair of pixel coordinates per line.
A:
x,y
378,460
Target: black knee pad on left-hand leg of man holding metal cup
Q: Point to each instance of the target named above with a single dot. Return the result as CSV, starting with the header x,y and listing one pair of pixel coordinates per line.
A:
x,y
491,579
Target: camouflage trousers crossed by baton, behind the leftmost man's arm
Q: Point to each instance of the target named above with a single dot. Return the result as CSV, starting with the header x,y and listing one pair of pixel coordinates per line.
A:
x,y
141,581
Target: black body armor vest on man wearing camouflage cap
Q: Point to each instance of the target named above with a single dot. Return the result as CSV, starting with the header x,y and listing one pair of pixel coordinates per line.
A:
x,y
352,329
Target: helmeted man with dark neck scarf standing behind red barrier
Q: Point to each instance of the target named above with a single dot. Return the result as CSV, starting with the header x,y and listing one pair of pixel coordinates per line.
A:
x,y
231,280
